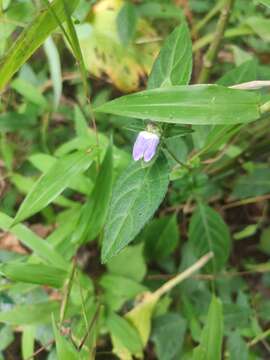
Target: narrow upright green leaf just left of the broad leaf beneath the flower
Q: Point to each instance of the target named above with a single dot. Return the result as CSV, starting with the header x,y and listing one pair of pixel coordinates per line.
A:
x,y
94,211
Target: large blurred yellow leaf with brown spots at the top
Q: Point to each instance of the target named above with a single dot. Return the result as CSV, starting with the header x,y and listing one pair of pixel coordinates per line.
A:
x,y
104,54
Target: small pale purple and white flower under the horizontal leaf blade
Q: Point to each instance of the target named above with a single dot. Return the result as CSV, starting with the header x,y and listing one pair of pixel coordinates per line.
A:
x,y
145,146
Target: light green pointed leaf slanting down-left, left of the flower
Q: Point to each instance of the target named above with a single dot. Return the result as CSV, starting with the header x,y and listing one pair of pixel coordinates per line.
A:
x,y
52,183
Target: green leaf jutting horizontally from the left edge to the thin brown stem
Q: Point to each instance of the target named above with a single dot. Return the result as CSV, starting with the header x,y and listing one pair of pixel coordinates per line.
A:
x,y
34,274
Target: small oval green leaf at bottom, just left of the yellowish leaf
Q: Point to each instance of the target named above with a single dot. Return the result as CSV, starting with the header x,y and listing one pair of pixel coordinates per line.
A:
x,y
121,329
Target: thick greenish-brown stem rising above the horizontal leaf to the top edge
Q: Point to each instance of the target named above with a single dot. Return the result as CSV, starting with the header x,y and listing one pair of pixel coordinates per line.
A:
x,y
211,53
